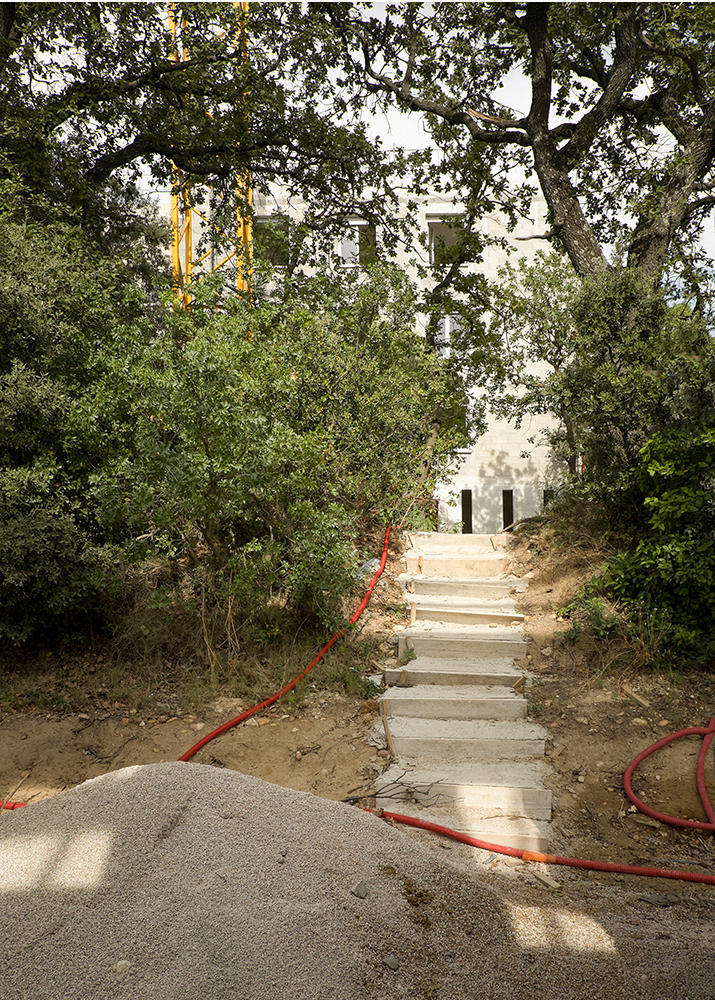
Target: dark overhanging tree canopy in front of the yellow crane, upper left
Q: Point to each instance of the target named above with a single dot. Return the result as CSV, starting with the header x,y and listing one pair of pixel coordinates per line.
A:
x,y
91,95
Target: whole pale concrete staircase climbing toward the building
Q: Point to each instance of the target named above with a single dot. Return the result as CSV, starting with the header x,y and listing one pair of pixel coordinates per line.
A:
x,y
466,755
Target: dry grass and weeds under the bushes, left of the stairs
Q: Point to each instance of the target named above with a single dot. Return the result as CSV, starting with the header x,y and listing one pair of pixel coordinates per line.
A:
x,y
171,646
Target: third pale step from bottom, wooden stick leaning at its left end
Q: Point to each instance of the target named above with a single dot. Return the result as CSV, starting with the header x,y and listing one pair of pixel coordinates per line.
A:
x,y
467,739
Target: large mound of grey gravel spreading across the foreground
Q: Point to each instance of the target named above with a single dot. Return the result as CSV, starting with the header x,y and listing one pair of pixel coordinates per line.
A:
x,y
182,881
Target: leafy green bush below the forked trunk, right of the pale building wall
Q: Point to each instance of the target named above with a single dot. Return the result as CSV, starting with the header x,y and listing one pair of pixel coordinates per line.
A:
x,y
607,359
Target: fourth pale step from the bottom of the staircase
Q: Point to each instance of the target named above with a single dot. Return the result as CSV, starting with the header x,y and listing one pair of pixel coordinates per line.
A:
x,y
453,702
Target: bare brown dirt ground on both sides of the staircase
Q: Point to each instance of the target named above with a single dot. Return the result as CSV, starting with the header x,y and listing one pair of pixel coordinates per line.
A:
x,y
598,719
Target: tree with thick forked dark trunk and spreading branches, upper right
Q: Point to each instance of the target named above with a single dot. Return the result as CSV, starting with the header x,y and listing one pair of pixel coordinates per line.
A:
x,y
620,129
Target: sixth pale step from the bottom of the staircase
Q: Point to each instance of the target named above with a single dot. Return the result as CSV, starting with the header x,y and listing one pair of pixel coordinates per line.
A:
x,y
462,641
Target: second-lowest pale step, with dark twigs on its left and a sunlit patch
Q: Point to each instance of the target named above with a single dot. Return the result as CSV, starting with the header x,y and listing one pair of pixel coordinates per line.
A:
x,y
504,789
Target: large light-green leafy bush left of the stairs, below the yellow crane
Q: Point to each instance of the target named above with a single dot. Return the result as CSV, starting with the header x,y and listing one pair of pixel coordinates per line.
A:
x,y
260,439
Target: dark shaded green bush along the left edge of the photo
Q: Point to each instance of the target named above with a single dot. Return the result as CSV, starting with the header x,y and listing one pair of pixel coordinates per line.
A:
x,y
55,309
